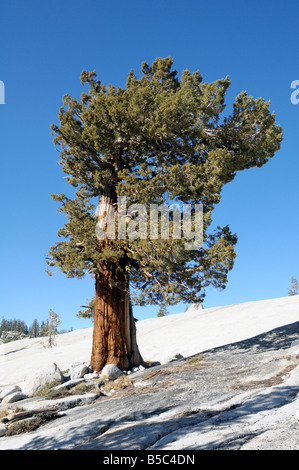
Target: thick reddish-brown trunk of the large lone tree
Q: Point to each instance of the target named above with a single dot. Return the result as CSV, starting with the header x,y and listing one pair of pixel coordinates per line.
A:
x,y
114,331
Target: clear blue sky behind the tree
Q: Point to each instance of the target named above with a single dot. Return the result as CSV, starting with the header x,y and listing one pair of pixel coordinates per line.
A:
x,y
44,47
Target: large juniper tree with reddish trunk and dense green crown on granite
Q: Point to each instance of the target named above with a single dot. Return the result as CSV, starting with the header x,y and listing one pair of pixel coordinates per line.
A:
x,y
156,140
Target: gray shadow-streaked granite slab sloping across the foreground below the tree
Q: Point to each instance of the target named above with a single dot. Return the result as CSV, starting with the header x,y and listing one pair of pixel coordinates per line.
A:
x,y
239,396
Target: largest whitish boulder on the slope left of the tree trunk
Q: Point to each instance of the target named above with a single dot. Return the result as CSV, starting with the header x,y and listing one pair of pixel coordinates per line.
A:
x,y
51,373
